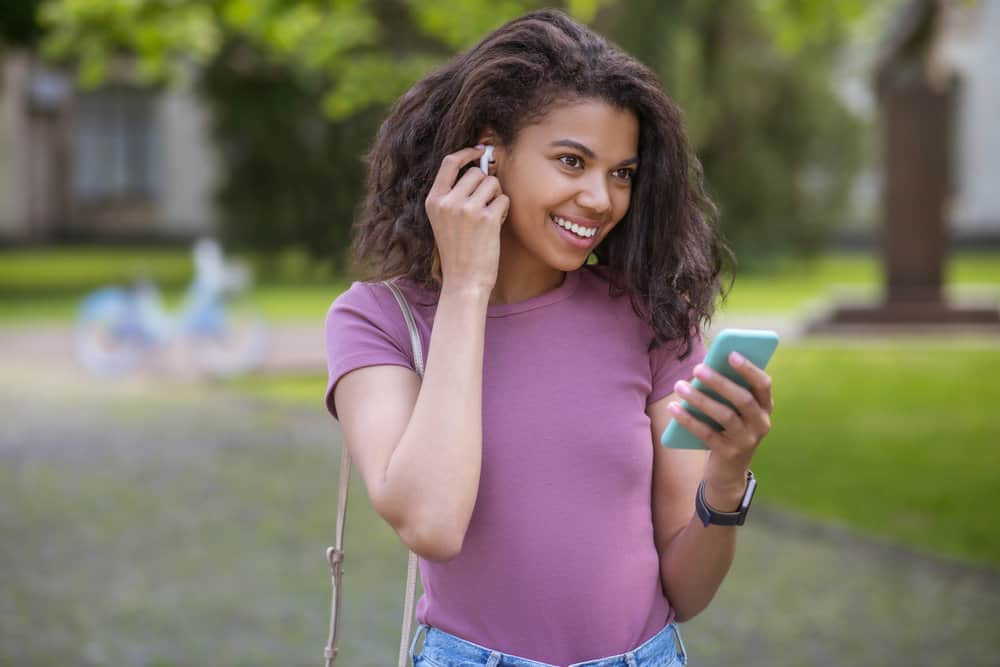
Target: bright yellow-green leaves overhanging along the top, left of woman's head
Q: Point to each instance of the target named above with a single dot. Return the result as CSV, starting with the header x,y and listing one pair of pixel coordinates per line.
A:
x,y
364,53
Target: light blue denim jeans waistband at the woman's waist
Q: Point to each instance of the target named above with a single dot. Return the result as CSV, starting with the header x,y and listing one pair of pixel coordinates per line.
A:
x,y
440,649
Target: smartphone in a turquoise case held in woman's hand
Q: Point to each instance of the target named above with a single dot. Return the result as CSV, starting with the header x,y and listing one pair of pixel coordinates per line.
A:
x,y
757,345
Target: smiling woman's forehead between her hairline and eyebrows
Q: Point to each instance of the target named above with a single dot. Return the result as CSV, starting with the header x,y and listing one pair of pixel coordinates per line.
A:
x,y
611,133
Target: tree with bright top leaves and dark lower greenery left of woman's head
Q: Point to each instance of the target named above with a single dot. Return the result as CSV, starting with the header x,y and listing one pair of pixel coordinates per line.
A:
x,y
297,89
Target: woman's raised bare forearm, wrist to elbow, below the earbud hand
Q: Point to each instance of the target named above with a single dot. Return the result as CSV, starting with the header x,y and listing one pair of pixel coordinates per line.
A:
x,y
433,474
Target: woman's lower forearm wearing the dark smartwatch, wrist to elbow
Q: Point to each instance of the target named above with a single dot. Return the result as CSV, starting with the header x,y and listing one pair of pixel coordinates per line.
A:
x,y
697,559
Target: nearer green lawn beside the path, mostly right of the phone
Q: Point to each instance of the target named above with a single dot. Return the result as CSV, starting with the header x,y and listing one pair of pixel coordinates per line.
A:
x,y
896,439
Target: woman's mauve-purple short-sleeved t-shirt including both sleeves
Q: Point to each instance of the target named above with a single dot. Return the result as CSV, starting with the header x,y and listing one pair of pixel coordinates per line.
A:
x,y
558,563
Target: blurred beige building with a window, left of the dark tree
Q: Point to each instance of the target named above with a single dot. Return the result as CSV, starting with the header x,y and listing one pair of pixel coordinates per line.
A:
x,y
121,161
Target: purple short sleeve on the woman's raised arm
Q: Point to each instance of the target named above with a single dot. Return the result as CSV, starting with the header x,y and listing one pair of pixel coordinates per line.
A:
x,y
360,332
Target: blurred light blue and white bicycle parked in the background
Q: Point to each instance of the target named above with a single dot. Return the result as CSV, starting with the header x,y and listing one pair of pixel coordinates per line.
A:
x,y
119,328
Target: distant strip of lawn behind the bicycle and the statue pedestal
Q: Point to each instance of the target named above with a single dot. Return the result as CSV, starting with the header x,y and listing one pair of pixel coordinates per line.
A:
x,y
45,285
